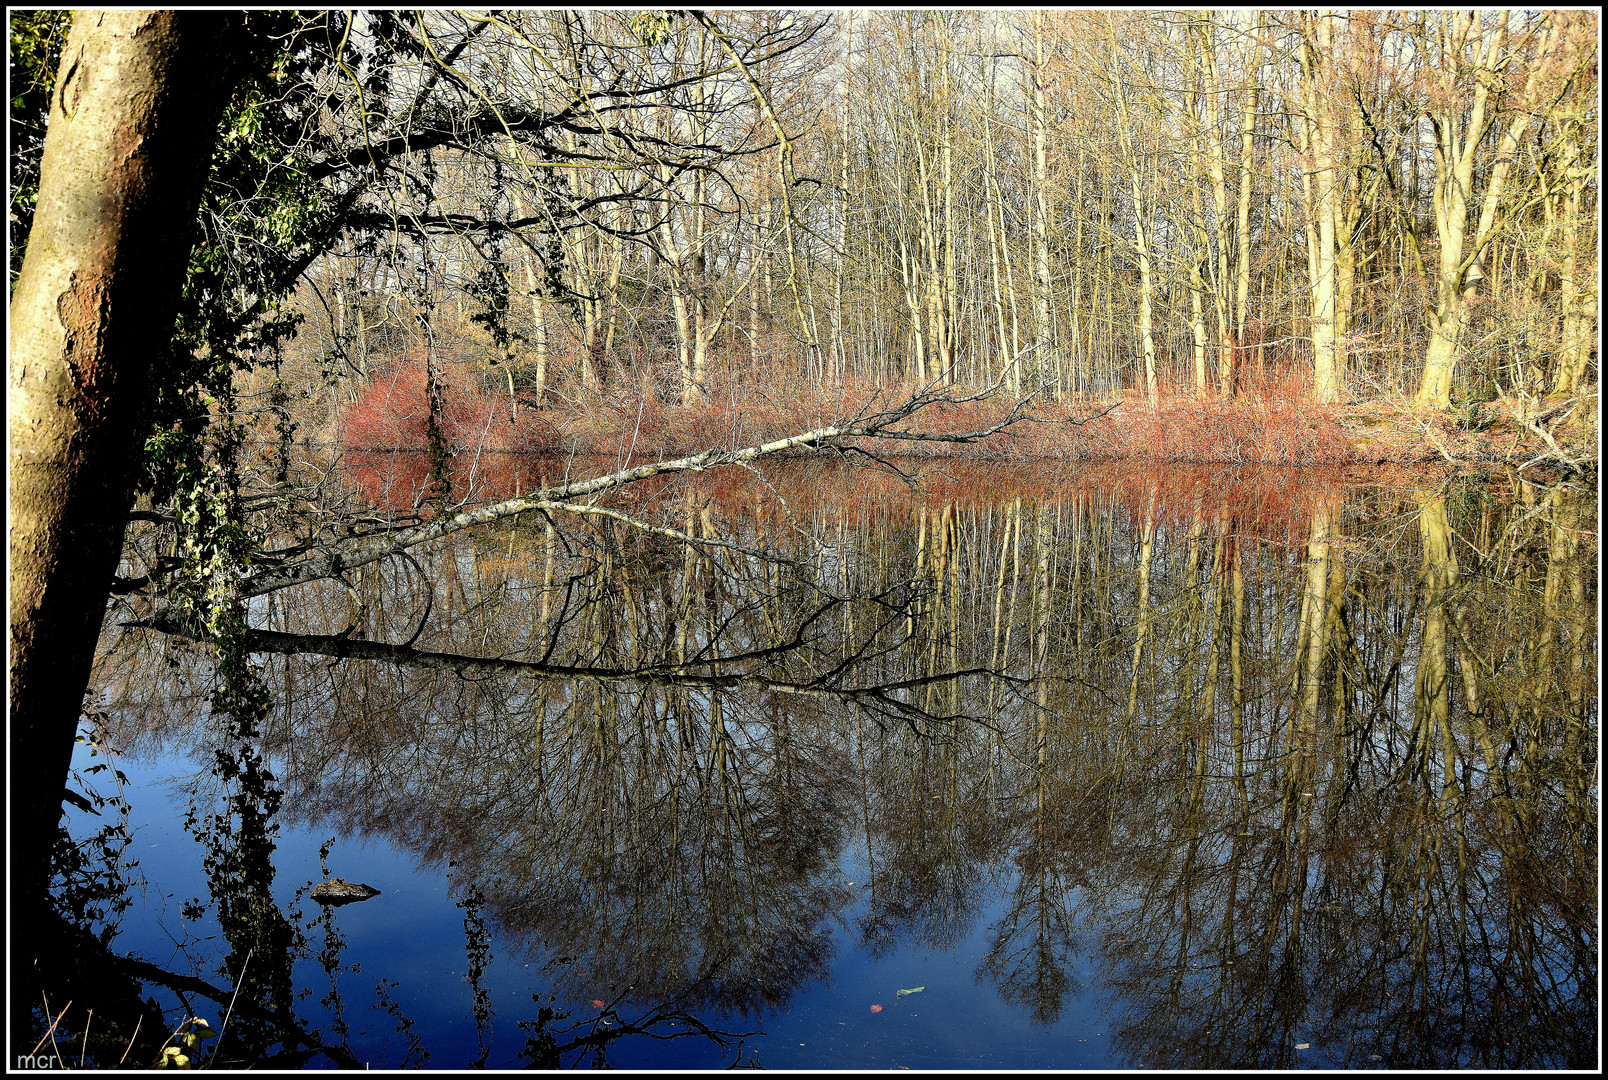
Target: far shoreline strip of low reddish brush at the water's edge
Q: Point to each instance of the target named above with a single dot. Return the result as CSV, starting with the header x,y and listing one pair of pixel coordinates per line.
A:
x,y
1176,432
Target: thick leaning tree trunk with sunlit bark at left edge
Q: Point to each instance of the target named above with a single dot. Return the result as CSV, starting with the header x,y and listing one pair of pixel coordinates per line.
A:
x,y
133,126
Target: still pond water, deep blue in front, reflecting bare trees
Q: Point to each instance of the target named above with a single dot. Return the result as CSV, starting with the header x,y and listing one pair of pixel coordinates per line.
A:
x,y
1017,769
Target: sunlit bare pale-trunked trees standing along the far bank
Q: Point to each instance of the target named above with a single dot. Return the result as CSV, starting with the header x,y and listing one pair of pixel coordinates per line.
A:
x,y
1377,205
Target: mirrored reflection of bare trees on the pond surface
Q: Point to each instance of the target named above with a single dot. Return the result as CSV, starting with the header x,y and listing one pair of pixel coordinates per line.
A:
x,y
1286,766
